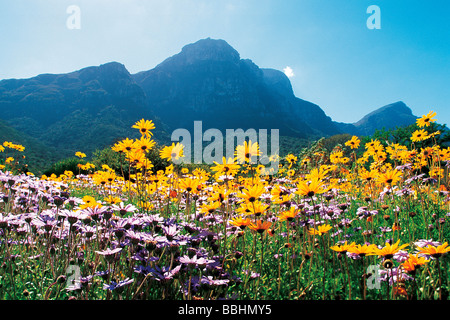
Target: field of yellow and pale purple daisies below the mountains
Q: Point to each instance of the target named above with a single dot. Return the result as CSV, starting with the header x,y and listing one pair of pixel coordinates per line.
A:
x,y
339,225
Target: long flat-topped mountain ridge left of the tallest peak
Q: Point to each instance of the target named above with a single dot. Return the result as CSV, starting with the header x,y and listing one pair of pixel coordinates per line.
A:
x,y
79,111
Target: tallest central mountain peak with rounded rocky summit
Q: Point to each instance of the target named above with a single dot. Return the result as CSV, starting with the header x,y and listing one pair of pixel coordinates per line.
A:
x,y
208,81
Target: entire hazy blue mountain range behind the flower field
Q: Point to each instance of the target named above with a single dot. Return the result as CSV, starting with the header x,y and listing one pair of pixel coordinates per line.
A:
x,y
93,107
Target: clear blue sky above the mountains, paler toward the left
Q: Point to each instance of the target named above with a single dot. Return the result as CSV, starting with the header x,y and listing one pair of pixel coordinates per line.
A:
x,y
337,62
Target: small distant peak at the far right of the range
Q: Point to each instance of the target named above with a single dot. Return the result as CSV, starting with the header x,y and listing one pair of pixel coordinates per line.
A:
x,y
394,115
